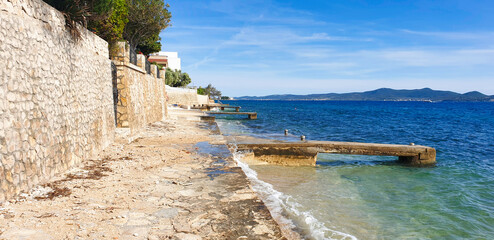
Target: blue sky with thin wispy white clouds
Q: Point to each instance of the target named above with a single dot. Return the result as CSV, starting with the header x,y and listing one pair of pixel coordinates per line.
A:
x,y
301,47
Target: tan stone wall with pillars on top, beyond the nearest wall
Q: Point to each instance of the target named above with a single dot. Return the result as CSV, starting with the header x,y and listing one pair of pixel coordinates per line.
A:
x,y
141,96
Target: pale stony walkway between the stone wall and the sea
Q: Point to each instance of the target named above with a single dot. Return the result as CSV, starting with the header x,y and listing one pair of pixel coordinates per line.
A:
x,y
178,180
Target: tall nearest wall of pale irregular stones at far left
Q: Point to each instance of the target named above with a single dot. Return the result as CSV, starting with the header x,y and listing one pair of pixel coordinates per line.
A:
x,y
56,104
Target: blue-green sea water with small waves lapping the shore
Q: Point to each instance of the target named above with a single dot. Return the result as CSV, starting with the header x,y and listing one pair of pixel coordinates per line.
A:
x,y
372,197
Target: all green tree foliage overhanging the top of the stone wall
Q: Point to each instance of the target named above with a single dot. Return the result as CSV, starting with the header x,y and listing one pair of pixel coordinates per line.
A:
x,y
138,21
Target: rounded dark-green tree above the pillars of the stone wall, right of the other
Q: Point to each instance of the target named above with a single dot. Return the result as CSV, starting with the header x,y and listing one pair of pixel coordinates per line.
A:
x,y
147,18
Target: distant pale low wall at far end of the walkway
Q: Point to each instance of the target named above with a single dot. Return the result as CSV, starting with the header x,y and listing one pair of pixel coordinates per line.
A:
x,y
185,97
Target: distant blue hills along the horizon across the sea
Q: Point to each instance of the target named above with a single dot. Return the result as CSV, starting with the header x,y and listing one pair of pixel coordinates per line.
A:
x,y
384,94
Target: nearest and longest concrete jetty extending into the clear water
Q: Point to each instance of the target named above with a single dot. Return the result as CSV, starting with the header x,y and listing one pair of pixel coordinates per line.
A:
x,y
305,153
